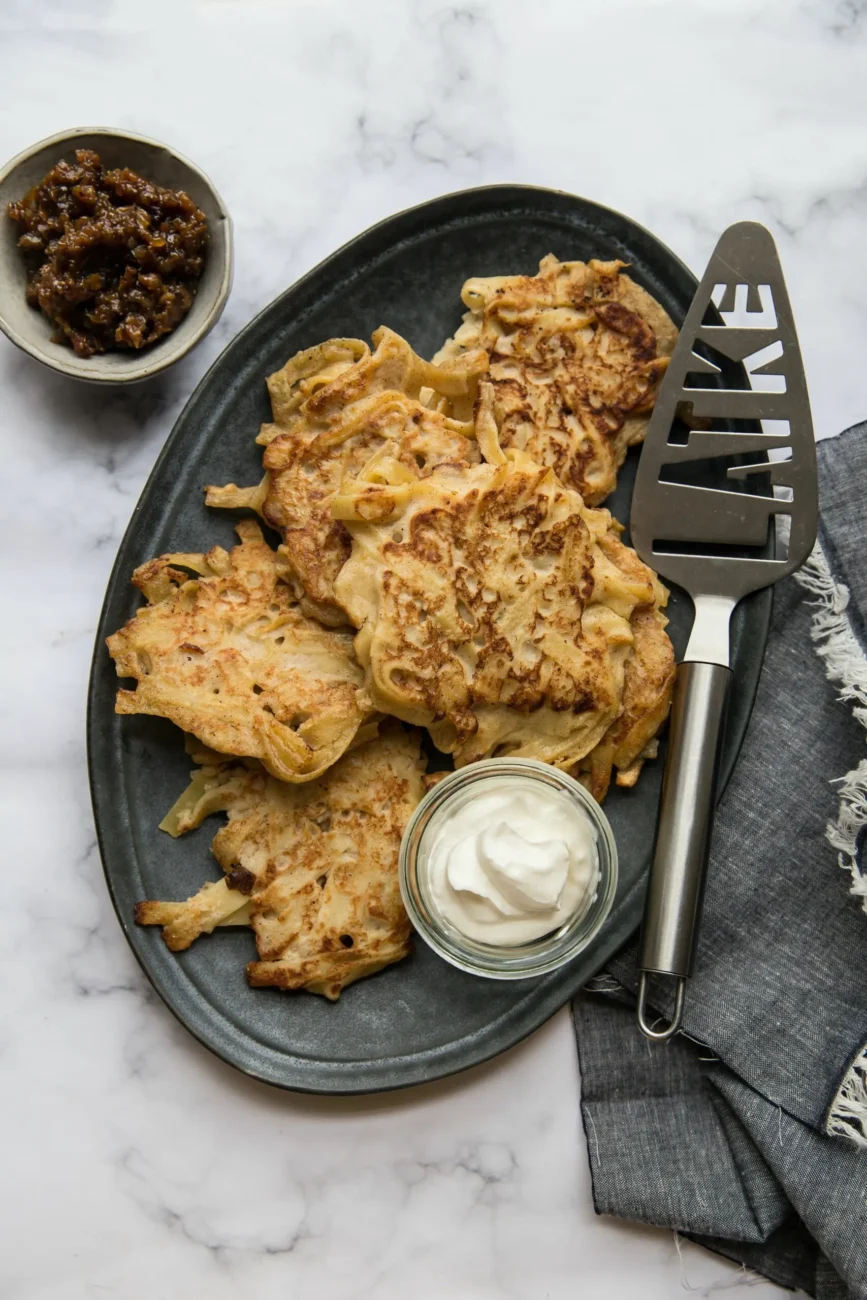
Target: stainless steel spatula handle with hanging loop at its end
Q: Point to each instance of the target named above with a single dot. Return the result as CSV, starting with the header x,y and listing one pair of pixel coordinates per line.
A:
x,y
683,834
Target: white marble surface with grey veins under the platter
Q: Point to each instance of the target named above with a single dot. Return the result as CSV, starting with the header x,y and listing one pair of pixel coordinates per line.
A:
x,y
135,1165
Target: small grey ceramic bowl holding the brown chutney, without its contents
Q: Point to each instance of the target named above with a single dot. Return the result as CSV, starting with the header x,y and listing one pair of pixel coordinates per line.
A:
x,y
32,332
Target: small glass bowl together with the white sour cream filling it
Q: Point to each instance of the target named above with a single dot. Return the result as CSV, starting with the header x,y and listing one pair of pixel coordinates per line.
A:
x,y
509,869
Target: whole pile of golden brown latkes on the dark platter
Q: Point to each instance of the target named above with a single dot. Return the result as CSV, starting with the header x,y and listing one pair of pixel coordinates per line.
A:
x,y
443,564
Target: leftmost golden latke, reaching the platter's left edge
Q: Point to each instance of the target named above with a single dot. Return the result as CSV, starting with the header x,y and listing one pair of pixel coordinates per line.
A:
x,y
228,656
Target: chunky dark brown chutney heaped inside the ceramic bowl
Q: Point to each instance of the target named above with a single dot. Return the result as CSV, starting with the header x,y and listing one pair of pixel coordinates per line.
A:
x,y
114,261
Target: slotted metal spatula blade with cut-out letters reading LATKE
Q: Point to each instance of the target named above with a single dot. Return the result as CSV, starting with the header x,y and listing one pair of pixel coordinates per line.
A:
x,y
696,536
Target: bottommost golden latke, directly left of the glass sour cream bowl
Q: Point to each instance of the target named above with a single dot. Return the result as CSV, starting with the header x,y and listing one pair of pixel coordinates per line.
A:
x,y
314,869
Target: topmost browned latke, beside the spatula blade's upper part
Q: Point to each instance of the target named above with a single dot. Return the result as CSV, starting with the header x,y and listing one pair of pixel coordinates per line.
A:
x,y
576,357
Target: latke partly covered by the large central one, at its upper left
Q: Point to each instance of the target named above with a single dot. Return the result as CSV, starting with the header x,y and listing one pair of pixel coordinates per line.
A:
x,y
335,409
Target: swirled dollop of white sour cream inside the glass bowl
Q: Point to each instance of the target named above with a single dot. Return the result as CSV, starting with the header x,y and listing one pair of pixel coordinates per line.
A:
x,y
513,863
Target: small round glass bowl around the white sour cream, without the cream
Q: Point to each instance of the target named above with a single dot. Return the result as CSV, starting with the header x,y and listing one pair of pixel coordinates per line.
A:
x,y
498,961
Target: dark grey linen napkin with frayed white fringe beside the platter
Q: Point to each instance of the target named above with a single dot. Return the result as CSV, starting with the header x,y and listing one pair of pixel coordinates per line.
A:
x,y
749,1132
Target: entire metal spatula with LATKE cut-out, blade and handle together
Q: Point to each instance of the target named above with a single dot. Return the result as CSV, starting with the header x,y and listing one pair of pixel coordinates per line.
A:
x,y
718,545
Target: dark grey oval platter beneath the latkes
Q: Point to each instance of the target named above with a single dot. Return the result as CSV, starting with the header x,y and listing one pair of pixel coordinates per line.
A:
x,y
421,1020
